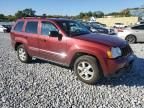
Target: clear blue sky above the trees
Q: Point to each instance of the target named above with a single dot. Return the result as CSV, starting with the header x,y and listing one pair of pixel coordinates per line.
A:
x,y
67,7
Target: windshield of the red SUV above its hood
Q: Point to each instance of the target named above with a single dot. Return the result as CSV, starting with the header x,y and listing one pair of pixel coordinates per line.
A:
x,y
73,28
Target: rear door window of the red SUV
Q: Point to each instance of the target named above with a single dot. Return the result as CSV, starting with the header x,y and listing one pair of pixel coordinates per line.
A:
x,y
31,27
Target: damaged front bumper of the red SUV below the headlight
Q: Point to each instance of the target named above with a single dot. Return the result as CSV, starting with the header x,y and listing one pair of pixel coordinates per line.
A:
x,y
118,65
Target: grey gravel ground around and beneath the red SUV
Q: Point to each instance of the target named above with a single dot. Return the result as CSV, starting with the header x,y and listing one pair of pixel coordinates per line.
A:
x,y
41,84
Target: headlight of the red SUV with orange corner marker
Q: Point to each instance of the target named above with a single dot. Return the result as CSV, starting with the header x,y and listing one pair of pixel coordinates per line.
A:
x,y
114,53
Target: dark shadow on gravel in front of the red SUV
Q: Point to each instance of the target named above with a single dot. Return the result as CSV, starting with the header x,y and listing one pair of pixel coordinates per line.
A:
x,y
133,78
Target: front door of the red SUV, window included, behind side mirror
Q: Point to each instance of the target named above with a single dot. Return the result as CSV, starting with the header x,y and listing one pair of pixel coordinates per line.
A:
x,y
51,48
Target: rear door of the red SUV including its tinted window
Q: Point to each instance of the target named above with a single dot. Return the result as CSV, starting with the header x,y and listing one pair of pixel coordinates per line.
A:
x,y
31,33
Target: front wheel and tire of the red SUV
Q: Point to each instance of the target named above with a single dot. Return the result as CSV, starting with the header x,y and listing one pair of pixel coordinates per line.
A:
x,y
87,70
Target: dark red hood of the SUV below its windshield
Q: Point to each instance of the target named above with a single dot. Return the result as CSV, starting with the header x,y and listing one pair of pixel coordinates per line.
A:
x,y
108,40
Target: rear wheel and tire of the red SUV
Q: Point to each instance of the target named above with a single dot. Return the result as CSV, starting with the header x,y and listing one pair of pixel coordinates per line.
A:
x,y
23,56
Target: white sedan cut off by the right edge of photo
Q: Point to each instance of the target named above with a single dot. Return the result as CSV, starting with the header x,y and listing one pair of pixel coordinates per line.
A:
x,y
132,34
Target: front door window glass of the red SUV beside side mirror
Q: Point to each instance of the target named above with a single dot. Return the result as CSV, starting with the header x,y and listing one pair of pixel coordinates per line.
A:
x,y
47,27
